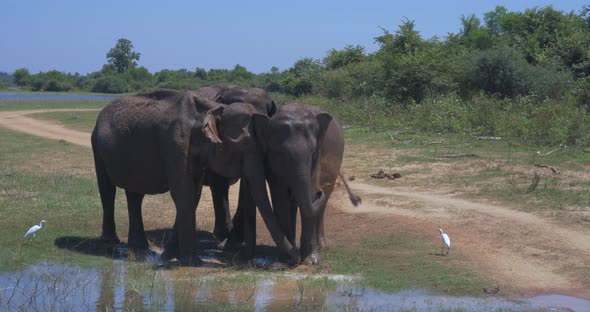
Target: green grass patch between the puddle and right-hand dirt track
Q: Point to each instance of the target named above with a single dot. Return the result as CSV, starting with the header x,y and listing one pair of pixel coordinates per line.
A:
x,y
404,261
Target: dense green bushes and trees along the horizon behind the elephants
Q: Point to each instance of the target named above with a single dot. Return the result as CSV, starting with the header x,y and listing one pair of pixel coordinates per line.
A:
x,y
524,74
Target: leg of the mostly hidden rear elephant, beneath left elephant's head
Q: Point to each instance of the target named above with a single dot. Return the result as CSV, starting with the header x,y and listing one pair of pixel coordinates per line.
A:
x,y
220,193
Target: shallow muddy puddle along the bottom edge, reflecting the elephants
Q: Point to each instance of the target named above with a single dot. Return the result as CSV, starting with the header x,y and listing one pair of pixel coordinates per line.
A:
x,y
58,287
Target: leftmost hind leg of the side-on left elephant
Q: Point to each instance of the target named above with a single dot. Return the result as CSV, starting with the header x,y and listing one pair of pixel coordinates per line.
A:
x,y
107,197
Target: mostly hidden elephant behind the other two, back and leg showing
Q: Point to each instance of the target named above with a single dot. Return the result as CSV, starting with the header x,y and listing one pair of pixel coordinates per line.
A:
x,y
219,186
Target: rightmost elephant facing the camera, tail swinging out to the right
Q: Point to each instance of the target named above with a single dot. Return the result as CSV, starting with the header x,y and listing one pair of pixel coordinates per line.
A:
x,y
303,149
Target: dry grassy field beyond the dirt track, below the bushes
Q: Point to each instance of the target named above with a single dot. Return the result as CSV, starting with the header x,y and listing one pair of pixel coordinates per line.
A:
x,y
552,177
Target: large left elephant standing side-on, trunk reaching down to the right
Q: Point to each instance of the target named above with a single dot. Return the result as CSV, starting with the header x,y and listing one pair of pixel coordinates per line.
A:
x,y
166,141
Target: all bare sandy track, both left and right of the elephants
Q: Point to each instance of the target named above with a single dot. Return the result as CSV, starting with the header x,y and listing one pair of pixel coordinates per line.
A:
x,y
534,254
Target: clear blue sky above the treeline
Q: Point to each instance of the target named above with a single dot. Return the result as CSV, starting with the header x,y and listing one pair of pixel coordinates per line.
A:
x,y
75,35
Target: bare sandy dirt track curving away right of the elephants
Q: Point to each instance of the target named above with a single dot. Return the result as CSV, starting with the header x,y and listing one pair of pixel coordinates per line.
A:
x,y
518,248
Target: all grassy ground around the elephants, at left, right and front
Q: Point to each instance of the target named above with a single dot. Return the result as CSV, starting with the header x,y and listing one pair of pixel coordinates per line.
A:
x,y
51,180
